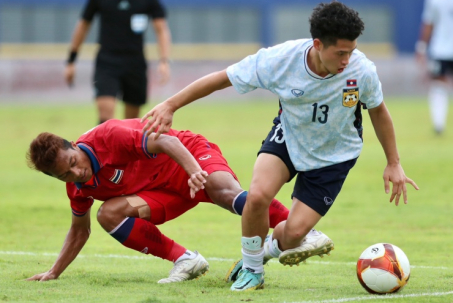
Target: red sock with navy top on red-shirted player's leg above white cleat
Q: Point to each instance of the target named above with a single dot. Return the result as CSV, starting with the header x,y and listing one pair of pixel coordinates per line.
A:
x,y
145,237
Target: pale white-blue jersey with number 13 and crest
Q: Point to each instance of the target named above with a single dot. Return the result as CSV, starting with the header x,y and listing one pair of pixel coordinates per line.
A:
x,y
318,113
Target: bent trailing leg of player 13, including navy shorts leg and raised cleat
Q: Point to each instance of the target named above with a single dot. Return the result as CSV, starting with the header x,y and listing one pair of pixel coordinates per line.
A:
x,y
314,193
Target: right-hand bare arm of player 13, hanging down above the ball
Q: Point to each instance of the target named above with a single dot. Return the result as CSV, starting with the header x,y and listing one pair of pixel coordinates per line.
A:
x,y
385,132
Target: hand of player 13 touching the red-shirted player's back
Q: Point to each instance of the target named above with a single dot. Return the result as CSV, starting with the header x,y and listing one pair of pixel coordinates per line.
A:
x,y
161,119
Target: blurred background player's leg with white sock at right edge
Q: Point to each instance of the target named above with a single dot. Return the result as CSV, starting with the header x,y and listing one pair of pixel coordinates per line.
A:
x,y
438,95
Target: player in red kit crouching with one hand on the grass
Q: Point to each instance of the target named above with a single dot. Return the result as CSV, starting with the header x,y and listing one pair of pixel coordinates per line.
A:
x,y
143,183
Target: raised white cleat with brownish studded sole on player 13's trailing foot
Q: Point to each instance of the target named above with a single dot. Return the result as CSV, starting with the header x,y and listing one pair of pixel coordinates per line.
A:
x,y
315,244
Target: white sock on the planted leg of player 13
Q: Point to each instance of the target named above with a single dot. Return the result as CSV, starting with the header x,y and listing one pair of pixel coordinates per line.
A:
x,y
252,254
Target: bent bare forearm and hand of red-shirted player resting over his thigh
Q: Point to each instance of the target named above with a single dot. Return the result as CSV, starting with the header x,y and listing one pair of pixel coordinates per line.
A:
x,y
177,151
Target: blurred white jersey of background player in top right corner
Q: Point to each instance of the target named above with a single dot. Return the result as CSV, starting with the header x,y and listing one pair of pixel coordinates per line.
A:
x,y
439,13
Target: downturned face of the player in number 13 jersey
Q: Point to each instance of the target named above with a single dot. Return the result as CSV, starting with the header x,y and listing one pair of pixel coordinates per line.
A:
x,y
335,57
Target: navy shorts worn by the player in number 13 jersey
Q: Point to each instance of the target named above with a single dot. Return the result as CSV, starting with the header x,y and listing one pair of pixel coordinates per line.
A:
x,y
316,188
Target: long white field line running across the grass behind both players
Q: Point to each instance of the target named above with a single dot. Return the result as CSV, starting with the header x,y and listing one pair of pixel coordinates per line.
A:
x,y
144,257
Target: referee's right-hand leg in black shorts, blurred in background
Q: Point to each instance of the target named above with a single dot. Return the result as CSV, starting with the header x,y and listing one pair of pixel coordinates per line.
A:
x,y
135,86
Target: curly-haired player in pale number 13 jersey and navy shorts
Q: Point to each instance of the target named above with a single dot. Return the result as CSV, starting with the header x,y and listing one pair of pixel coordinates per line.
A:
x,y
322,83
